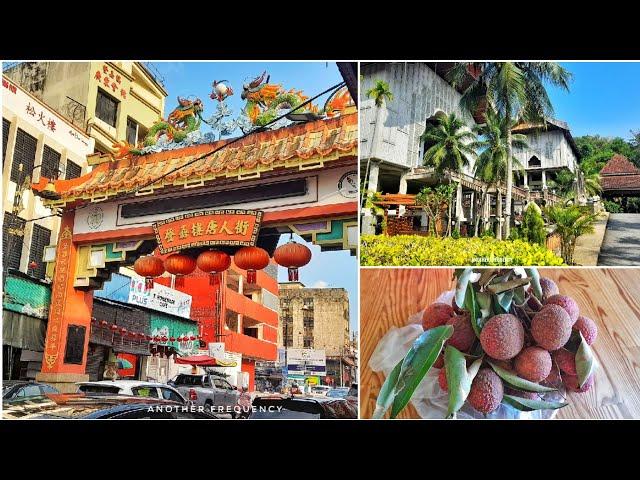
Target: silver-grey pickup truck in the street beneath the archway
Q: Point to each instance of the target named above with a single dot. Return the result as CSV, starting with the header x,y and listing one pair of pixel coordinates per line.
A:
x,y
211,391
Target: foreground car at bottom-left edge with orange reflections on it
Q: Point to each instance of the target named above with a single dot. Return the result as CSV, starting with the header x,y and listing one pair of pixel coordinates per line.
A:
x,y
101,406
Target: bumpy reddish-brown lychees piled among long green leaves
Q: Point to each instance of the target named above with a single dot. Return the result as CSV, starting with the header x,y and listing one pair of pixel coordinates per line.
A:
x,y
538,345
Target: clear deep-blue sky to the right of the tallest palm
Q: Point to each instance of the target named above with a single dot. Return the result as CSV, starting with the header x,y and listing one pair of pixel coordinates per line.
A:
x,y
604,99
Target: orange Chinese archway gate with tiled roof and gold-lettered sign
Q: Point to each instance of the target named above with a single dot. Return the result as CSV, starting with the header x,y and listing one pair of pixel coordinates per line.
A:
x,y
301,179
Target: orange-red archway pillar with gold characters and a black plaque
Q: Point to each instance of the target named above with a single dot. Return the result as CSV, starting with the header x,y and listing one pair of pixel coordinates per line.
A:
x,y
69,308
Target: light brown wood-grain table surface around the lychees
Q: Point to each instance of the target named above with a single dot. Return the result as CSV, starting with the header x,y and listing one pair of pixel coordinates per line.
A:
x,y
611,297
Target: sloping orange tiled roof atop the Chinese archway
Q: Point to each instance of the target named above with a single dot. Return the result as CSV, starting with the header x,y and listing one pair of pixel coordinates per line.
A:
x,y
302,146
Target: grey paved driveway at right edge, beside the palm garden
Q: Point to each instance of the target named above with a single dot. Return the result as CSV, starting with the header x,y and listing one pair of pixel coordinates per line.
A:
x,y
621,245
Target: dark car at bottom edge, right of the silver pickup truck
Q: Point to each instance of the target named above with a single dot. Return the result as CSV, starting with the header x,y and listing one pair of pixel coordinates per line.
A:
x,y
312,408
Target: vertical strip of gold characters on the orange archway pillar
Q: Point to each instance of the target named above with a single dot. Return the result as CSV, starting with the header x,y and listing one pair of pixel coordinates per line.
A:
x,y
58,297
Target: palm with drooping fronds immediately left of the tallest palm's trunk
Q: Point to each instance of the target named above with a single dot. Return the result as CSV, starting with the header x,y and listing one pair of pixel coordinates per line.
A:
x,y
491,166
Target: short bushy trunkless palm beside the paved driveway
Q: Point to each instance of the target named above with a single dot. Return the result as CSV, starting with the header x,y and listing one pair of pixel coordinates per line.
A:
x,y
571,222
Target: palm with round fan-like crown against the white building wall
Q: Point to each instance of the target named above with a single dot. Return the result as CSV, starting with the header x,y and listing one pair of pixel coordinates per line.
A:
x,y
452,145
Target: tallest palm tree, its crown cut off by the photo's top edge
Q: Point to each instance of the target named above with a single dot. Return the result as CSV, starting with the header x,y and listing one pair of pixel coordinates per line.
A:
x,y
517,92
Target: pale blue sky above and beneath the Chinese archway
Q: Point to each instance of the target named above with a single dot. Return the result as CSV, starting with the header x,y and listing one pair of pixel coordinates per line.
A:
x,y
328,269
